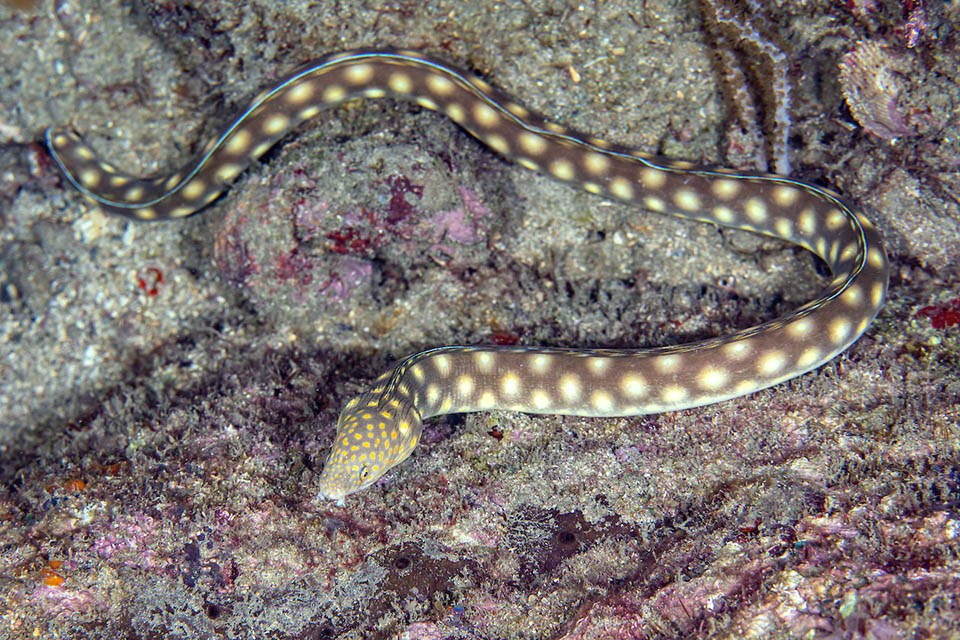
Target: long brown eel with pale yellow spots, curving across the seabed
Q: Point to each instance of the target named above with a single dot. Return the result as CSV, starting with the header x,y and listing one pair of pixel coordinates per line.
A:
x,y
379,428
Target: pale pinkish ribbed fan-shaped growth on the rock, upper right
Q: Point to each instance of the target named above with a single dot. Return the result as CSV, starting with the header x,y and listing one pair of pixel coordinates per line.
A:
x,y
870,82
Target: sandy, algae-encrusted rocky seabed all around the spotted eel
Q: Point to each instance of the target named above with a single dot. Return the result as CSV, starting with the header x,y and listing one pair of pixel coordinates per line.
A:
x,y
168,391
